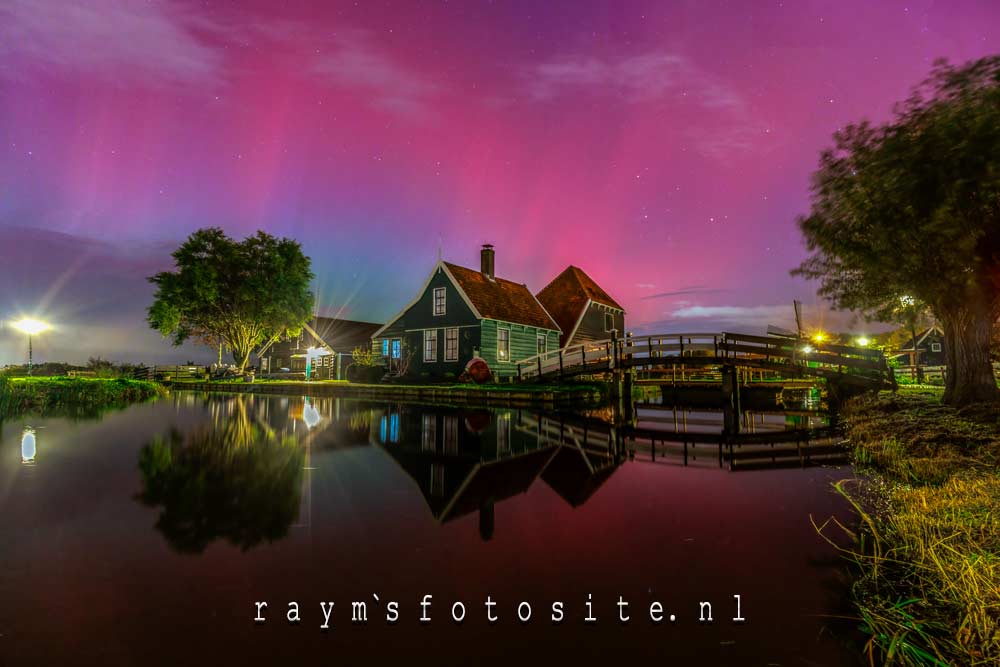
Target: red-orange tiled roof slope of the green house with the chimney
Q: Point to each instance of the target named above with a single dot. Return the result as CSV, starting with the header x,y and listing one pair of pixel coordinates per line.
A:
x,y
500,299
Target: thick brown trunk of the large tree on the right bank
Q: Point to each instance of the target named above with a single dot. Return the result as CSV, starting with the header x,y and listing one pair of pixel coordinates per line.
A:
x,y
969,378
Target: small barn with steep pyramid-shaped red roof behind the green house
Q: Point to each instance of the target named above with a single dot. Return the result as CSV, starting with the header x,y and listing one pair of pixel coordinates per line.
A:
x,y
581,308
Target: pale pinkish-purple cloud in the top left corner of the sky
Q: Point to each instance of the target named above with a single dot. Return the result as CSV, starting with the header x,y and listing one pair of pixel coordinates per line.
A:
x,y
152,44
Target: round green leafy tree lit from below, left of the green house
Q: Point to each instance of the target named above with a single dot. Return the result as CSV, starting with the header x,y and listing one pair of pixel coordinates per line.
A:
x,y
244,294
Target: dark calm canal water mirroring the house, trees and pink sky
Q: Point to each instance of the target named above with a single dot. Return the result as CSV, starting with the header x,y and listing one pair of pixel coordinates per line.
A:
x,y
150,535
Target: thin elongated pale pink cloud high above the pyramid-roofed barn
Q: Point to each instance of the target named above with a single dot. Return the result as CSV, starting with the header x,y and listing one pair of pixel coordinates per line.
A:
x,y
640,78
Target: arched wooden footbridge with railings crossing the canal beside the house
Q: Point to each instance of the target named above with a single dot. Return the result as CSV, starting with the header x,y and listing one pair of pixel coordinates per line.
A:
x,y
705,356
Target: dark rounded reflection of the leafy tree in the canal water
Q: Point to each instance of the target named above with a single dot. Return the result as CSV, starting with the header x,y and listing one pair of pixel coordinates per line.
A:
x,y
238,479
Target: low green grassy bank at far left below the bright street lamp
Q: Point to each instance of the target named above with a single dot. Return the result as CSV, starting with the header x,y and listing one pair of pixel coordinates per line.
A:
x,y
70,396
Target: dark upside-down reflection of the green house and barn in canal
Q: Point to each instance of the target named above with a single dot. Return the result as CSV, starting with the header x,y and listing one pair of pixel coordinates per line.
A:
x,y
467,461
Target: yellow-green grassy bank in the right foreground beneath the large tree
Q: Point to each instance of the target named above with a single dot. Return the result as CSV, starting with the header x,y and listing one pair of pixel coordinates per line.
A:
x,y
928,549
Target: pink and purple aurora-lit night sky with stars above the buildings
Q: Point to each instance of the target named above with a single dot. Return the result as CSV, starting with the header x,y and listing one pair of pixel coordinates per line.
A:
x,y
664,147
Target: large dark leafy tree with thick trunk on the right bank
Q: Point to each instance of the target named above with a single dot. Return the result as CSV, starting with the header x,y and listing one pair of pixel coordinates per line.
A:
x,y
911,208
